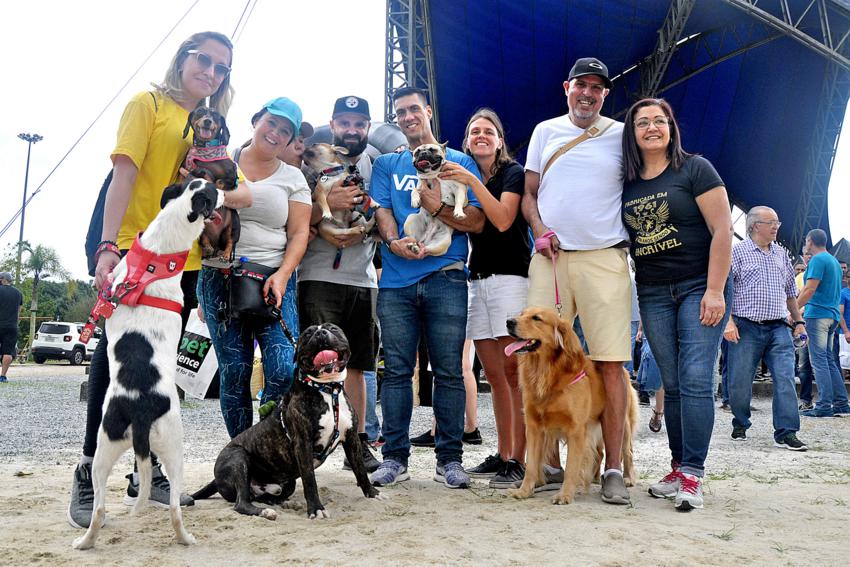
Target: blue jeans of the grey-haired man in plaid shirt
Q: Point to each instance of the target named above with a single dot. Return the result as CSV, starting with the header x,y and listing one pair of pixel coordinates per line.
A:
x,y
773,343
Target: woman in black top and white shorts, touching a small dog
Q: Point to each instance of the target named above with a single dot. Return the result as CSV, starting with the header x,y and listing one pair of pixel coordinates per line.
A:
x,y
498,268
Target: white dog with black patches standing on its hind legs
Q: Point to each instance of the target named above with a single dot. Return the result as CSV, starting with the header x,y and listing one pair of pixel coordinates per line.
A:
x,y
141,408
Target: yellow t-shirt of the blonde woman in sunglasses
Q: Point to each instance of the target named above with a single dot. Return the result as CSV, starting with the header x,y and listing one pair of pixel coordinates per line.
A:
x,y
151,135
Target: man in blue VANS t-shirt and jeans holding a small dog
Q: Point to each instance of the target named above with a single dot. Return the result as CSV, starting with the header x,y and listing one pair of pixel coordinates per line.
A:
x,y
420,294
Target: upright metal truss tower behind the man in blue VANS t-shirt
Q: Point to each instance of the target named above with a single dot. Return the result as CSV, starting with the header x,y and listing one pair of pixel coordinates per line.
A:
x,y
409,55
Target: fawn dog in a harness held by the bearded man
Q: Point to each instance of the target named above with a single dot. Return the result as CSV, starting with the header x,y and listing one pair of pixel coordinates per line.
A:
x,y
326,161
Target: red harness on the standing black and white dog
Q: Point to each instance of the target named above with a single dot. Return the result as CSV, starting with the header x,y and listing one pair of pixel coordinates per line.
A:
x,y
143,267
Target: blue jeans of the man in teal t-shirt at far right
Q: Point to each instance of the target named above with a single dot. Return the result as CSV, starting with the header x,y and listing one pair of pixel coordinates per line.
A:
x,y
832,394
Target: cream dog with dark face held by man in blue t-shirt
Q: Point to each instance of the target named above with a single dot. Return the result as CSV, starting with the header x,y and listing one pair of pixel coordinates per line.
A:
x,y
428,159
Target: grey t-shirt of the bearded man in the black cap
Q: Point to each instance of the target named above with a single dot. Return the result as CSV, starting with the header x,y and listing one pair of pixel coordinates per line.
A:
x,y
355,266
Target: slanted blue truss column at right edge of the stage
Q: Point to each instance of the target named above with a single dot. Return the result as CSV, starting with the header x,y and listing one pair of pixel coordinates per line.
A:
x,y
811,212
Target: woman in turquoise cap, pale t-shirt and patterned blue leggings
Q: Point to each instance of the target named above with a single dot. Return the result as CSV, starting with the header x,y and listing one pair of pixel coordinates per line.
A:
x,y
274,232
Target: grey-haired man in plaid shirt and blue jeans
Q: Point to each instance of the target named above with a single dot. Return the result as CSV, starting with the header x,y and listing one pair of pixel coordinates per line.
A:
x,y
765,292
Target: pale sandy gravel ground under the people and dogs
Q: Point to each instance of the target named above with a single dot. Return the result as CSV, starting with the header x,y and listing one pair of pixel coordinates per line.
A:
x,y
764,506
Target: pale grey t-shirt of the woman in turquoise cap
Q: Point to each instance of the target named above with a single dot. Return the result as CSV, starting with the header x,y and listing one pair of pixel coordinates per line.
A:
x,y
263,235
